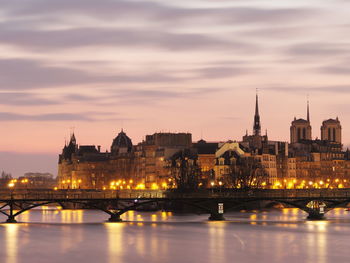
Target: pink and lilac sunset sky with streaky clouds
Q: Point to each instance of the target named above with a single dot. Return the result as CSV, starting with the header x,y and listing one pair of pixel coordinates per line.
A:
x,y
165,66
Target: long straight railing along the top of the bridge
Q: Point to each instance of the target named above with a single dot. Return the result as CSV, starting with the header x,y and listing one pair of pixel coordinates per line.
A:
x,y
6,195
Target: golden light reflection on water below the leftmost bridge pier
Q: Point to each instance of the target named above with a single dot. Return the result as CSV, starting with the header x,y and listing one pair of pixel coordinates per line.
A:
x,y
11,242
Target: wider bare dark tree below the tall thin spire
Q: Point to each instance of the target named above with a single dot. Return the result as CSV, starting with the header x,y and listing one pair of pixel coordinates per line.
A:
x,y
247,173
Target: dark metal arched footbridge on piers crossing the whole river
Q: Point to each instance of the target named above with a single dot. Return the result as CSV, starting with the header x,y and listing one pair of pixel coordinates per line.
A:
x,y
315,202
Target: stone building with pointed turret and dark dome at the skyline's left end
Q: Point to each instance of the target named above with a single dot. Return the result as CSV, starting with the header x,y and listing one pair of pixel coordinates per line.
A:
x,y
87,167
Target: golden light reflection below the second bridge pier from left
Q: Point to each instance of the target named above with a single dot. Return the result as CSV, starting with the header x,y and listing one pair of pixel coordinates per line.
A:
x,y
115,240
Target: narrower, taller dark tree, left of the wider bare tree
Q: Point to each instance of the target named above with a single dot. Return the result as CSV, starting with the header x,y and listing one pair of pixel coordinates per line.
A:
x,y
185,170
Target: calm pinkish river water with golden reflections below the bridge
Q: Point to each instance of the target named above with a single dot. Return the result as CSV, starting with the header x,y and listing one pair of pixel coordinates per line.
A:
x,y
49,235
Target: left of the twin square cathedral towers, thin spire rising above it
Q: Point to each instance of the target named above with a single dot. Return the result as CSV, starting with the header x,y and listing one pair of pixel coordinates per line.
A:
x,y
301,129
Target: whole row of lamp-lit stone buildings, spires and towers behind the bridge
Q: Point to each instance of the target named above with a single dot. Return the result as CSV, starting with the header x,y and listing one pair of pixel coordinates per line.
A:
x,y
303,163
